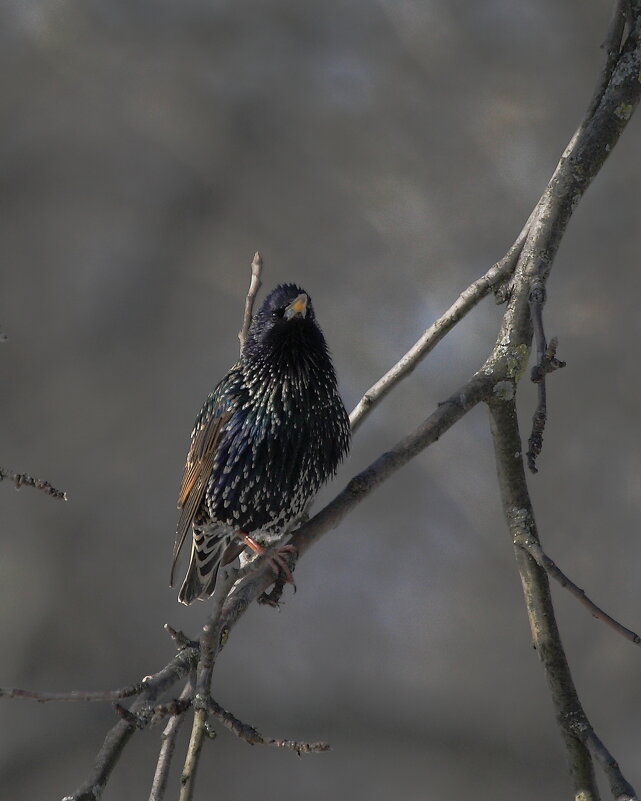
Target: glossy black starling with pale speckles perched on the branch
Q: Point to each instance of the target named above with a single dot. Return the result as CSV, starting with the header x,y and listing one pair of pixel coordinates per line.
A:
x,y
272,432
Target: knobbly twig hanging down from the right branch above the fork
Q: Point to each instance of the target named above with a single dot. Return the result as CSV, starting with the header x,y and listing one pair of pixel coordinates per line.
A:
x,y
546,362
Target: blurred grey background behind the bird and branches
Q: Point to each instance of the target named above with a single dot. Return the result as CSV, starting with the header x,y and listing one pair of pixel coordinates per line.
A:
x,y
383,155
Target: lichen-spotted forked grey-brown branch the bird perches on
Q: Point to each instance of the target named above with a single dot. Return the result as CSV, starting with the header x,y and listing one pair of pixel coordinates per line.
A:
x,y
526,265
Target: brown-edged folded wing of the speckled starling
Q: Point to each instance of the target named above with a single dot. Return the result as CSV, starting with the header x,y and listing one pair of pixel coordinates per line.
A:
x,y
198,467
